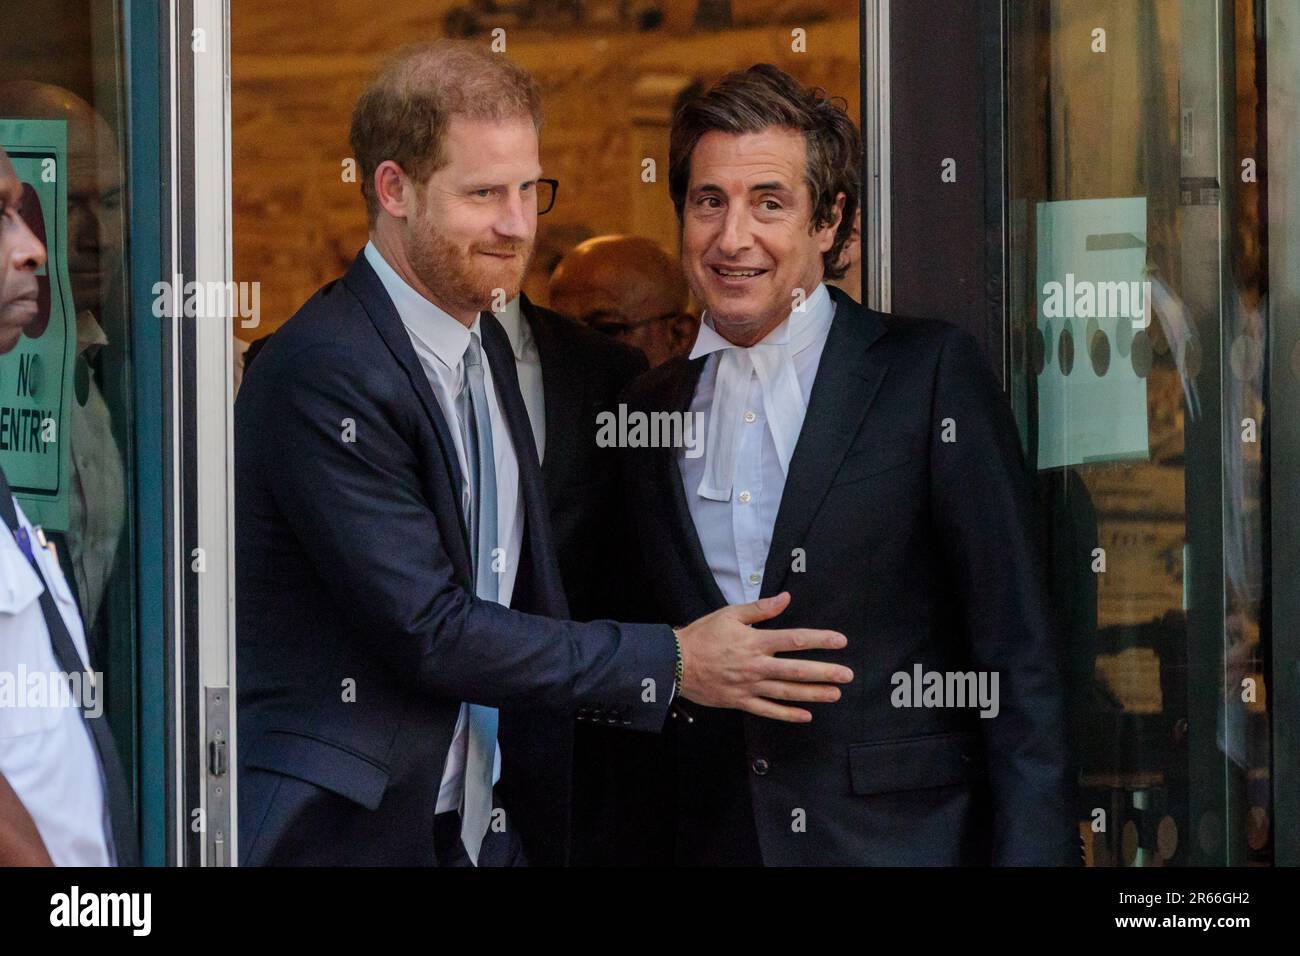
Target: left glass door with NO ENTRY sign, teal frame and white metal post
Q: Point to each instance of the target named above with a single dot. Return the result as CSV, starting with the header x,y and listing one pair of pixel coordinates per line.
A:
x,y
118,116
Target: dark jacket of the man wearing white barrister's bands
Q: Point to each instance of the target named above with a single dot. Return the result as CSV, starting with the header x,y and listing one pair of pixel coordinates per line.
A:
x,y
921,551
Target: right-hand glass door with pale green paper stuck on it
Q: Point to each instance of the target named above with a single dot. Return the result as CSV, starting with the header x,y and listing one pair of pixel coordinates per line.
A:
x,y
1137,279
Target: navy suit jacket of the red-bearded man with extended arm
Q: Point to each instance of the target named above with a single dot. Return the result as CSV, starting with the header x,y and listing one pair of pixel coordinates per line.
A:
x,y
358,631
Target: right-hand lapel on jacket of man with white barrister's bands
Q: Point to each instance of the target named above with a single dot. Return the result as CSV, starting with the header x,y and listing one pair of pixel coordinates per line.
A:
x,y
846,386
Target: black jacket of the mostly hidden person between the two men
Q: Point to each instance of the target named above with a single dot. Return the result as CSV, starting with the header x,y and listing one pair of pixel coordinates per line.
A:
x,y
583,374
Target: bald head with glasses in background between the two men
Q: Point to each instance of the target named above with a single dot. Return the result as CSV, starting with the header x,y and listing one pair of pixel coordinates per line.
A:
x,y
630,289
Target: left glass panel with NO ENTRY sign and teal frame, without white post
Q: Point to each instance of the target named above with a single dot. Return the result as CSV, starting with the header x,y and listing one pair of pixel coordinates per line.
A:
x,y
77,118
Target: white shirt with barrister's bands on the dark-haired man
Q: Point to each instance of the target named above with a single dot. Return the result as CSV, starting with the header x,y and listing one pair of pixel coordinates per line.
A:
x,y
734,491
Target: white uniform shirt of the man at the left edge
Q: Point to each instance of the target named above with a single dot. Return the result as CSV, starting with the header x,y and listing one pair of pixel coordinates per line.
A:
x,y
46,750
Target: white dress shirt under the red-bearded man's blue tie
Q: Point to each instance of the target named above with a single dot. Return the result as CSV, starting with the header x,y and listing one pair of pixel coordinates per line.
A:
x,y
440,341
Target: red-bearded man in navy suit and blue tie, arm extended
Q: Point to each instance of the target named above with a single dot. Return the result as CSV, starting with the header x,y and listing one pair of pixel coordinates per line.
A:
x,y
408,678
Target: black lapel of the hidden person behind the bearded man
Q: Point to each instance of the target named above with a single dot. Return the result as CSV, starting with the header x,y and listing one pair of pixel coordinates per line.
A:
x,y
564,401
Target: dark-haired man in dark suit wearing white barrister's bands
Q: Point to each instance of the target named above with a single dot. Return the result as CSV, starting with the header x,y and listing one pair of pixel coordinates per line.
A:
x,y
872,468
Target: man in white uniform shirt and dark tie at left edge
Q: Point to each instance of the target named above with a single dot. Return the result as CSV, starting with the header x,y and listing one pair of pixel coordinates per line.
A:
x,y
63,795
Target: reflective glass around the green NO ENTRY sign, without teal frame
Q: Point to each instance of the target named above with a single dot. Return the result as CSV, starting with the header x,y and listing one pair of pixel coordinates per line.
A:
x,y
63,63
